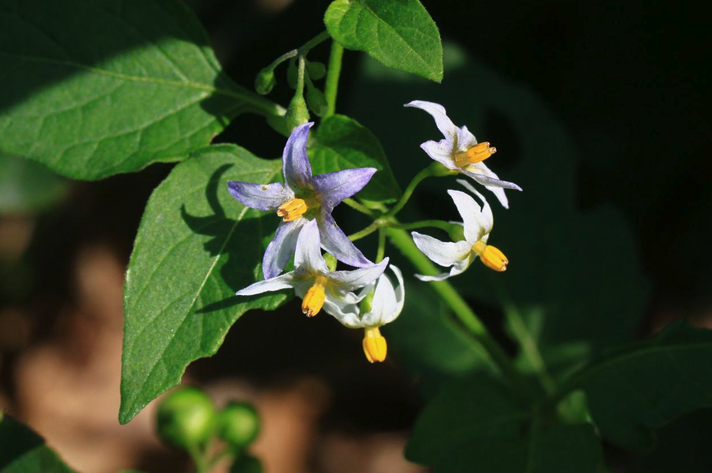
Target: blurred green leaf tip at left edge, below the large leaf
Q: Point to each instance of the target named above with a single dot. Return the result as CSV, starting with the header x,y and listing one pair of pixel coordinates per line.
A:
x,y
26,186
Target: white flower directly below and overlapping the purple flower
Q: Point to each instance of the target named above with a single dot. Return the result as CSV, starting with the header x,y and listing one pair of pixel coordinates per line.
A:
x,y
314,283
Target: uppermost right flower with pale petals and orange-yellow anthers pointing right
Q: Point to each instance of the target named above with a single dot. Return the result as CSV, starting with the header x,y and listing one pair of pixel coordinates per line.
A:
x,y
460,151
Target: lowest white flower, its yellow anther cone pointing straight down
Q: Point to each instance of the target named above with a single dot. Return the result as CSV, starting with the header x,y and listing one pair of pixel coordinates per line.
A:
x,y
384,308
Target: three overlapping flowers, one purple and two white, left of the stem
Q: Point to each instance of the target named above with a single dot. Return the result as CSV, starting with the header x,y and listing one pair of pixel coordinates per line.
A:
x,y
305,203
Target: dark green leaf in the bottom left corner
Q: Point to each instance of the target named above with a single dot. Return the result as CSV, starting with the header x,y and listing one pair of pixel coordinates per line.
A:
x,y
23,451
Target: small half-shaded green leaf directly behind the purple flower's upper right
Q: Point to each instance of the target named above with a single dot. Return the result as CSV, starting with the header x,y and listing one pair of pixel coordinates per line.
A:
x,y
342,143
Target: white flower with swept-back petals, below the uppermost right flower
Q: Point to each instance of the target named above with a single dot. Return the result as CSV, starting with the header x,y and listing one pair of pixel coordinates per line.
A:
x,y
459,255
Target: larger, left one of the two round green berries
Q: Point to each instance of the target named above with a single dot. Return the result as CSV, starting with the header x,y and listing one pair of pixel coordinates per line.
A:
x,y
185,418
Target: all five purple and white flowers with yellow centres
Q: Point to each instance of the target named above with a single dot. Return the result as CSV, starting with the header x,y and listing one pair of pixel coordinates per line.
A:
x,y
364,297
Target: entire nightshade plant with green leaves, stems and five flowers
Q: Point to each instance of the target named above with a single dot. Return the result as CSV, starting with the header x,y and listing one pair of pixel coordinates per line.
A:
x,y
120,84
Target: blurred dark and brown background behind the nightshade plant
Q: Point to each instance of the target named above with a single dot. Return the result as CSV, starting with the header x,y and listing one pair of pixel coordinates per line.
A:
x,y
599,111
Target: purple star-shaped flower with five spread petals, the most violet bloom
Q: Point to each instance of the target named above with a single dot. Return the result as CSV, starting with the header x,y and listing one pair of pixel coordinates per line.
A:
x,y
301,199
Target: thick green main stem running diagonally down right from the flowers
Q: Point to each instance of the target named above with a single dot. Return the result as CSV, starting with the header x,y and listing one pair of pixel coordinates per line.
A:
x,y
401,240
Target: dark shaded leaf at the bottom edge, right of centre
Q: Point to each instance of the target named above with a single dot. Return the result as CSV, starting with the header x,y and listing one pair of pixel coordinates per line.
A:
x,y
477,425
